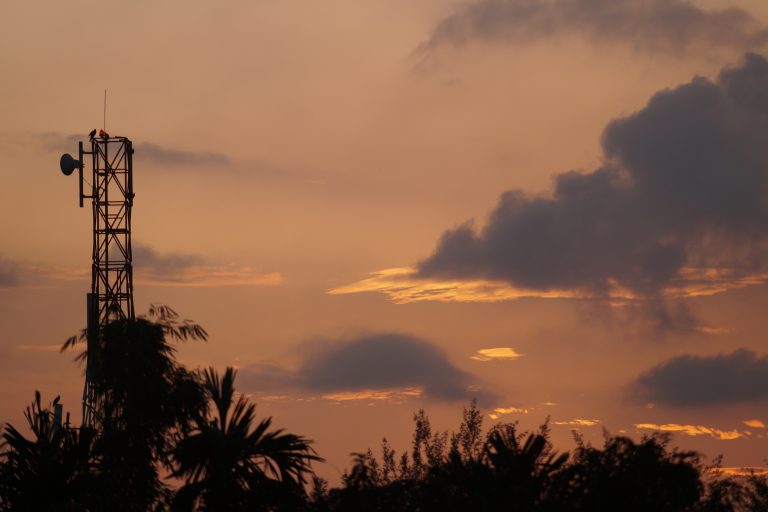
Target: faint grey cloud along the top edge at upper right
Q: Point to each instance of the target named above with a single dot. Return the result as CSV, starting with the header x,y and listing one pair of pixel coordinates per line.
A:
x,y
670,26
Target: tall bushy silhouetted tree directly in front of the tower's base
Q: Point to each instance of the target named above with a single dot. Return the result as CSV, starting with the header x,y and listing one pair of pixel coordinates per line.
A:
x,y
143,399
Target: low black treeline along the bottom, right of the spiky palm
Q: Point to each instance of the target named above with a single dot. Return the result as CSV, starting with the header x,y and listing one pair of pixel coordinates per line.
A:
x,y
512,470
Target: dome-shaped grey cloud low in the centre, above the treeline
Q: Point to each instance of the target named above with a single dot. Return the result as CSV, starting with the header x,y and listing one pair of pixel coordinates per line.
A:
x,y
368,366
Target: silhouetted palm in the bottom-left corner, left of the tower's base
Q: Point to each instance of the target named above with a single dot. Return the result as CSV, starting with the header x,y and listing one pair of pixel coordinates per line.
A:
x,y
54,470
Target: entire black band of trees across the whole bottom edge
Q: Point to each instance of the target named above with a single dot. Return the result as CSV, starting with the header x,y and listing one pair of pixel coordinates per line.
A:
x,y
167,438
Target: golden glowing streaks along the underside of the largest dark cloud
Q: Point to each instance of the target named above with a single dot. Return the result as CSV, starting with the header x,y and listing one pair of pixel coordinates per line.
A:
x,y
402,286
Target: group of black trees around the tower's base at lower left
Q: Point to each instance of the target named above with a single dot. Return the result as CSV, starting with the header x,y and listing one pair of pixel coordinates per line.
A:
x,y
148,412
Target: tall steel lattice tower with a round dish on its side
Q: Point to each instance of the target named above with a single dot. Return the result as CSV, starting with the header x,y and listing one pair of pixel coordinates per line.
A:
x,y
111,295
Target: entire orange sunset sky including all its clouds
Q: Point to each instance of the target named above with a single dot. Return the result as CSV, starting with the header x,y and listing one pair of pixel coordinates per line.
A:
x,y
557,207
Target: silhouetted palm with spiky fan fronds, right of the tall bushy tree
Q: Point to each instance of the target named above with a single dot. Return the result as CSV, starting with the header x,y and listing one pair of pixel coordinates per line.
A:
x,y
228,464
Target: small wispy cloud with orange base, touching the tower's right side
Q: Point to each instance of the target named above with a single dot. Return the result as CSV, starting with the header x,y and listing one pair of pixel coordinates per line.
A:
x,y
184,269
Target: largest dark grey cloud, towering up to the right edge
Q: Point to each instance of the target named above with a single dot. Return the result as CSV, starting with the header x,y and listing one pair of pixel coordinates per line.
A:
x,y
684,184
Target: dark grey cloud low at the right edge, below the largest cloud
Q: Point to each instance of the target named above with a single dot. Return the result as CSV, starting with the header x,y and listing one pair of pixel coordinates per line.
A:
x,y
740,377
